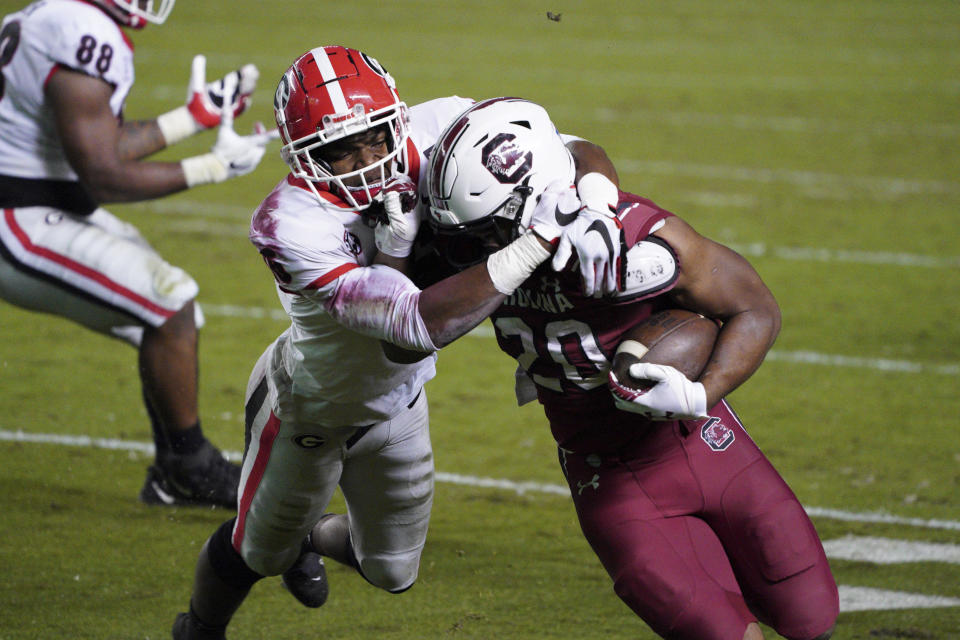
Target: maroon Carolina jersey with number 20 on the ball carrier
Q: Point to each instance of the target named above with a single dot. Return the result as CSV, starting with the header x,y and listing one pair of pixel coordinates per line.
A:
x,y
565,342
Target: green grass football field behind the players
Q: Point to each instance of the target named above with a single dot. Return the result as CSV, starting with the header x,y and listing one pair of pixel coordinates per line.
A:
x,y
817,138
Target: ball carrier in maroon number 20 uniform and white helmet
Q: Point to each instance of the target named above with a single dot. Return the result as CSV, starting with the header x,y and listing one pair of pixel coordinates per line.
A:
x,y
699,533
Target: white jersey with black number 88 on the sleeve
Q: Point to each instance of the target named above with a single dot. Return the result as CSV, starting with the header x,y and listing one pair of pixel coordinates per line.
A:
x,y
45,36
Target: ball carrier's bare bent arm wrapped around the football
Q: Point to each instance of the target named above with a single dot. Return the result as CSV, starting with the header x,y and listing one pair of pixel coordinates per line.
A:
x,y
719,283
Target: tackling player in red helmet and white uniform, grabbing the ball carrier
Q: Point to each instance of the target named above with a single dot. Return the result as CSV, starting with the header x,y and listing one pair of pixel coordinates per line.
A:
x,y
337,399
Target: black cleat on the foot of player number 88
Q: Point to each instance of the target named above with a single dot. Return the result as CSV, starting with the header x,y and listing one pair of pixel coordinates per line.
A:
x,y
201,478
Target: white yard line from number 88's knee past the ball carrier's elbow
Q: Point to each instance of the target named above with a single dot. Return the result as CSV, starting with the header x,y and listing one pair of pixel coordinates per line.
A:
x,y
800,357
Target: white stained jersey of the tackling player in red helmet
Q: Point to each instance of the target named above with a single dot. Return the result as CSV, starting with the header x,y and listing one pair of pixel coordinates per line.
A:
x,y
322,371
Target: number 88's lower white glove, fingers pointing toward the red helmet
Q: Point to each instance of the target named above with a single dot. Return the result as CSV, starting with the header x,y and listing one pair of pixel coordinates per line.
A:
x,y
232,155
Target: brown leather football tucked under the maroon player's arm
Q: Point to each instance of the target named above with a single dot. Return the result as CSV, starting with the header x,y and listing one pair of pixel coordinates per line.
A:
x,y
676,337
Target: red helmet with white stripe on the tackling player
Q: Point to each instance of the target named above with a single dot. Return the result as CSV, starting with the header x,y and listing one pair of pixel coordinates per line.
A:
x,y
330,93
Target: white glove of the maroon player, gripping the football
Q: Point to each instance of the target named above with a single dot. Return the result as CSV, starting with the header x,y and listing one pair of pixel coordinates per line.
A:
x,y
673,397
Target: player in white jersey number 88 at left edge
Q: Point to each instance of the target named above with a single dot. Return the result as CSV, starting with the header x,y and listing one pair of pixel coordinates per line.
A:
x,y
65,148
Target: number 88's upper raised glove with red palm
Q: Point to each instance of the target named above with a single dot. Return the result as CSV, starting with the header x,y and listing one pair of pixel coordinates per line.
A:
x,y
207,102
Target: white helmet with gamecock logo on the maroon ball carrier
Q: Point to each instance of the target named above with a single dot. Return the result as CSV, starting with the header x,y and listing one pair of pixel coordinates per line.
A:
x,y
486,172
